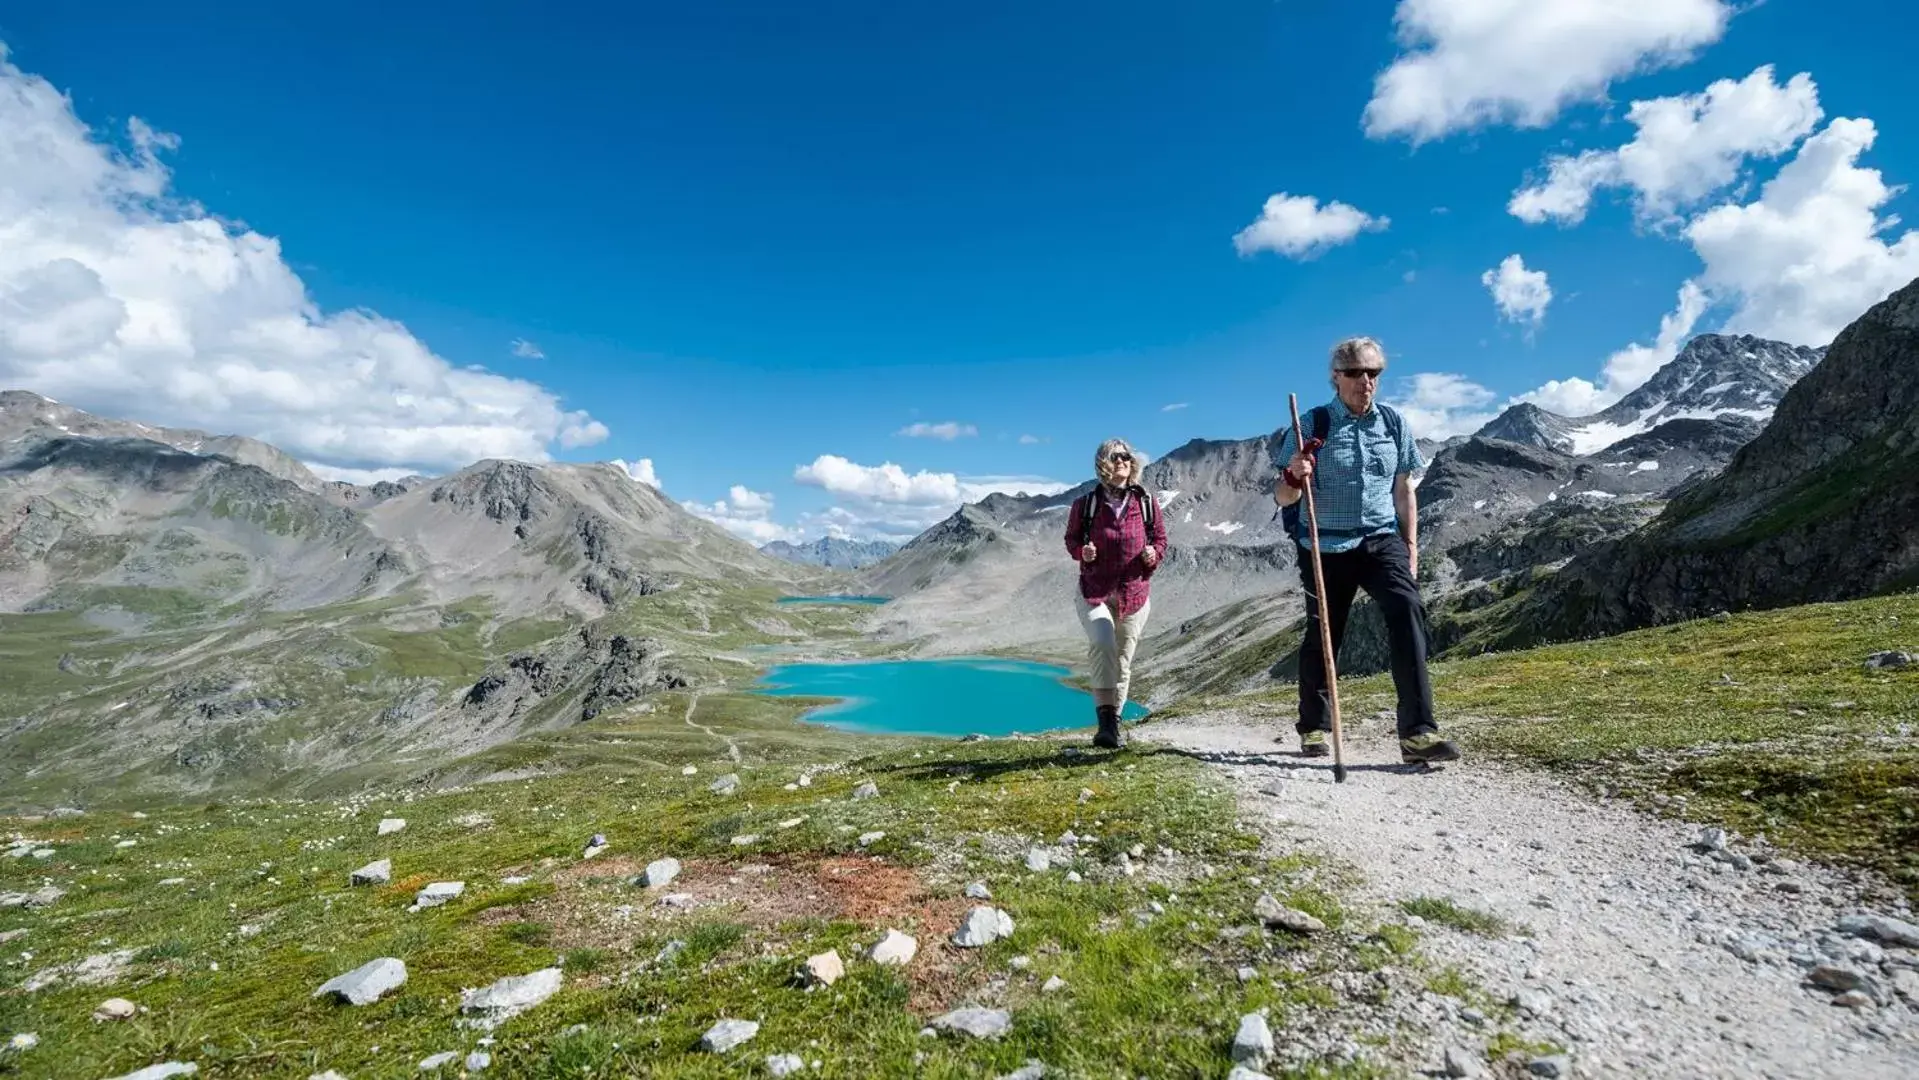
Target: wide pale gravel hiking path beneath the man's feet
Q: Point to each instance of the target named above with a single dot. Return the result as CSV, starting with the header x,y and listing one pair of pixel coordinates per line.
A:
x,y
1630,947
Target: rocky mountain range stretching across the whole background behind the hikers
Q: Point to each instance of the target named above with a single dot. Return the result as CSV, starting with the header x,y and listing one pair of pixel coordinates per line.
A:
x,y
191,611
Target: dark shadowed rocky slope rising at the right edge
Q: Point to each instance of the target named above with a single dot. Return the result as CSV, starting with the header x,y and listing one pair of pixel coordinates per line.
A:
x,y
1820,507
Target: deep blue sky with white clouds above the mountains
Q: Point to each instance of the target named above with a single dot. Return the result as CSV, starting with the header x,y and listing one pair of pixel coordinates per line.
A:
x,y
757,243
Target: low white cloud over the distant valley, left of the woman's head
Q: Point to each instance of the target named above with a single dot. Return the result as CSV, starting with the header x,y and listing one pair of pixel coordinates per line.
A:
x,y
886,500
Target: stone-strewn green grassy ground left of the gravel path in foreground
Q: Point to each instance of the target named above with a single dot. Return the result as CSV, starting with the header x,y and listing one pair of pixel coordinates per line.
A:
x,y
231,914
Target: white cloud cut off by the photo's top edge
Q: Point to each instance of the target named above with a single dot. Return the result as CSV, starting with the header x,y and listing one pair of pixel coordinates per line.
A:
x,y
1481,62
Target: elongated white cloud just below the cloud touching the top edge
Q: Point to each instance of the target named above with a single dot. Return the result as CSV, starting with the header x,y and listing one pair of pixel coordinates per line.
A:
x,y
1688,149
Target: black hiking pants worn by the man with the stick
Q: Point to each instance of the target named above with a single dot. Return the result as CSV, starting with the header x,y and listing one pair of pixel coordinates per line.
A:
x,y
1379,567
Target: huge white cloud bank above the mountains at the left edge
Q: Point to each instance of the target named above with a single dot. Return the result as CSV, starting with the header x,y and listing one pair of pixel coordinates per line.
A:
x,y
122,298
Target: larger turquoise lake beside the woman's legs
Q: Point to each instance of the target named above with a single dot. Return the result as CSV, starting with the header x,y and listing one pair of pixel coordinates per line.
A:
x,y
939,697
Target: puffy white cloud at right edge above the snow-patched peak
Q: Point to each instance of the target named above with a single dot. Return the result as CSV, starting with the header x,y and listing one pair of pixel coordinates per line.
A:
x,y
1809,256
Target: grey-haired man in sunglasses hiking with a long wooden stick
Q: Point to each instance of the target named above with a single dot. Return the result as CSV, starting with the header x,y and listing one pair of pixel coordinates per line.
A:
x,y
1360,459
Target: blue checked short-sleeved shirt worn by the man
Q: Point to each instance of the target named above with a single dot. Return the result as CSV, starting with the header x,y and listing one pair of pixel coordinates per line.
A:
x,y
1354,475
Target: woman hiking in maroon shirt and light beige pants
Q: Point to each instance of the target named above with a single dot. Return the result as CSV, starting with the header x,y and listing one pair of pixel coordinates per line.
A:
x,y
1118,536
